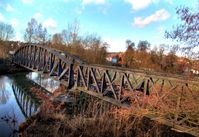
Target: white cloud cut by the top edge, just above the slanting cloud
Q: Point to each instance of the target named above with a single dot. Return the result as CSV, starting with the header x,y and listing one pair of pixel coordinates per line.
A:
x,y
139,4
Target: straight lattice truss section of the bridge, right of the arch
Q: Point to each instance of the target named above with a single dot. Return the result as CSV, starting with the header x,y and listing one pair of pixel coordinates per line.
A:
x,y
120,85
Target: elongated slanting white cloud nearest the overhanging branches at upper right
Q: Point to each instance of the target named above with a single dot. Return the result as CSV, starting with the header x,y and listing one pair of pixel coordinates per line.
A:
x,y
159,15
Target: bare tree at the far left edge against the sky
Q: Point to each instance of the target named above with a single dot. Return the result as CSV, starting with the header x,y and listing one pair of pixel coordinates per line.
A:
x,y
6,31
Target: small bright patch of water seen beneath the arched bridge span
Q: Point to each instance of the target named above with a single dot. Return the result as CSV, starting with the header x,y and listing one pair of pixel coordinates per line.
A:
x,y
48,83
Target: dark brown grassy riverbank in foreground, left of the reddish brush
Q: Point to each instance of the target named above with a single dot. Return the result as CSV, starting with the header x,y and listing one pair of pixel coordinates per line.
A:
x,y
93,119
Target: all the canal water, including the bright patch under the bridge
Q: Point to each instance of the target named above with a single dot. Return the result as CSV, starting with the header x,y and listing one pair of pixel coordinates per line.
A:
x,y
16,101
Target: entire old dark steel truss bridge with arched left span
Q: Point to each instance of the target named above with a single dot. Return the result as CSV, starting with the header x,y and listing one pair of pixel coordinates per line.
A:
x,y
112,84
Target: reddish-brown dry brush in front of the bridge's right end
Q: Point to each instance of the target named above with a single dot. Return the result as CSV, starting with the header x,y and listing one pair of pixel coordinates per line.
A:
x,y
177,105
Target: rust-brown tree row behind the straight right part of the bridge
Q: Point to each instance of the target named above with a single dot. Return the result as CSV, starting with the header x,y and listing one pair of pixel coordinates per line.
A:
x,y
156,59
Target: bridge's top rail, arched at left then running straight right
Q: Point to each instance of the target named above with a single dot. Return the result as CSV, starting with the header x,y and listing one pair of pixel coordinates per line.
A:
x,y
160,75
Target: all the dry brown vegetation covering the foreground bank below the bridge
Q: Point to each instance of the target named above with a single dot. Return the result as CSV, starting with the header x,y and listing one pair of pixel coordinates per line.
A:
x,y
173,114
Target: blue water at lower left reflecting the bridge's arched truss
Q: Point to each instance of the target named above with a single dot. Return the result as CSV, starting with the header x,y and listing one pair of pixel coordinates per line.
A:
x,y
15,103
